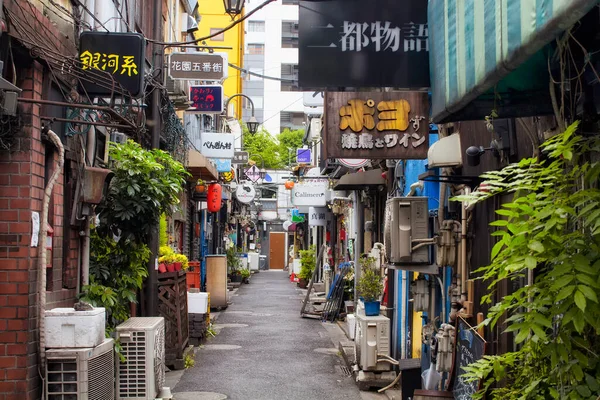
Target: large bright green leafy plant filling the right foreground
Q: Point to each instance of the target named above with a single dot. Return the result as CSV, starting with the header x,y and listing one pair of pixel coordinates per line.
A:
x,y
550,230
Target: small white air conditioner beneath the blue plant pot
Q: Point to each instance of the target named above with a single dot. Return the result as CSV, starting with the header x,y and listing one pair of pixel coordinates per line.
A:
x,y
372,340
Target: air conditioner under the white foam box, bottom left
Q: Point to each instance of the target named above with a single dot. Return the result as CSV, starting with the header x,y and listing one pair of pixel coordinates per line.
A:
x,y
82,373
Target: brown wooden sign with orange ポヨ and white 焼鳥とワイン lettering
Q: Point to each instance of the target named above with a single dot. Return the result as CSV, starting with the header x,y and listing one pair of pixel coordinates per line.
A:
x,y
376,125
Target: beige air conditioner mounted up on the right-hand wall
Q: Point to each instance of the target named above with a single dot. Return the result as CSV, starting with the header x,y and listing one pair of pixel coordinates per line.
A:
x,y
406,226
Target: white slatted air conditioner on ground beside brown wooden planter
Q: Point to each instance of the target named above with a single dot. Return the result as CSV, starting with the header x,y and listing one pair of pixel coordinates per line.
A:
x,y
142,375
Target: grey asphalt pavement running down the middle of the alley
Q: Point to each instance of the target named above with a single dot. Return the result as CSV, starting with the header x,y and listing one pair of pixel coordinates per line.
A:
x,y
265,350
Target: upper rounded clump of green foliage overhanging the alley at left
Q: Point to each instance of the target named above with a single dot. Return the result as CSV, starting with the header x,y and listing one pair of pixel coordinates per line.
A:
x,y
146,184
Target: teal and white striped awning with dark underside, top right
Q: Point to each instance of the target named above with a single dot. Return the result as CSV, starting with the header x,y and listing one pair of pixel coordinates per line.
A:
x,y
489,54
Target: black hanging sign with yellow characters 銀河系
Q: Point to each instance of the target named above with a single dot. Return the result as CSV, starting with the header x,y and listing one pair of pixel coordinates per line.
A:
x,y
105,56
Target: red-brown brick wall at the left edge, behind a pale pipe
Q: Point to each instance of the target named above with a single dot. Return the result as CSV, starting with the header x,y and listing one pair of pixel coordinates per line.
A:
x,y
22,181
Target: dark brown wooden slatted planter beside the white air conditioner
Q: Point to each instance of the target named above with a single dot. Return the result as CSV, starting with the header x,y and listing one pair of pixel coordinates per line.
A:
x,y
172,306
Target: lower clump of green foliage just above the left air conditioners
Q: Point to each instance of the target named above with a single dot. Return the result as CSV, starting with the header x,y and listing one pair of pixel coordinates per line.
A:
x,y
117,271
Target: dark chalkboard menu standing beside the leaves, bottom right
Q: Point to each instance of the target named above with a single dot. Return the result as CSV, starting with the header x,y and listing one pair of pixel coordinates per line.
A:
x,y
470,347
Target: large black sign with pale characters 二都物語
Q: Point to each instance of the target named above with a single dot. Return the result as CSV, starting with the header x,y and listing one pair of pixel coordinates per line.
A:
x,y
353,43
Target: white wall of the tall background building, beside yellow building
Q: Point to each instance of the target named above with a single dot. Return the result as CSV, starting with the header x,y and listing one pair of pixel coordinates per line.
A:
x,y
275,100
